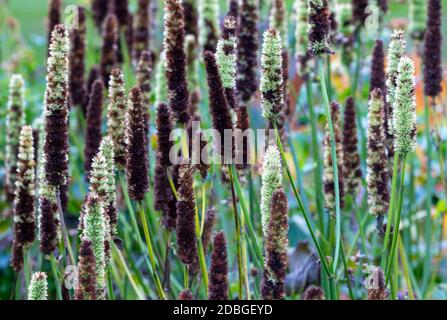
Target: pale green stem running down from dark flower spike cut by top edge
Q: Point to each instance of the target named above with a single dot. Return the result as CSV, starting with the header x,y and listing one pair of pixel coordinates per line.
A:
x,y
334,165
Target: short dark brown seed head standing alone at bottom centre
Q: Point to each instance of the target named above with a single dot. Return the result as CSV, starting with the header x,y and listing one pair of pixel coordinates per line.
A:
x,y
218,285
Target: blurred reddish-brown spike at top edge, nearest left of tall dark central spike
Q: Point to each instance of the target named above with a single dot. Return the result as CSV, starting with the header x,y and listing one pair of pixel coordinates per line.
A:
x,y
141,35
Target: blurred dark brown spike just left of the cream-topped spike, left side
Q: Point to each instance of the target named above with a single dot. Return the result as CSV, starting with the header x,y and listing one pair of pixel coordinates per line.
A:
x,y
94,121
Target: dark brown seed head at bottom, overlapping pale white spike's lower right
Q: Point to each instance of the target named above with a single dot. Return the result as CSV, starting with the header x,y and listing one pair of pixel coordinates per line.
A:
x,y
276,244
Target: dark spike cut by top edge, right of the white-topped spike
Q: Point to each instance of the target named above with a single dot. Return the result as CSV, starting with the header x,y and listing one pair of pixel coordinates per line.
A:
x,y
247,51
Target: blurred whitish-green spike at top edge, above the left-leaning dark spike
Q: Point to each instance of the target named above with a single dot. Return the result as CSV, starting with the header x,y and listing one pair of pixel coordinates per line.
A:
x,y
208,24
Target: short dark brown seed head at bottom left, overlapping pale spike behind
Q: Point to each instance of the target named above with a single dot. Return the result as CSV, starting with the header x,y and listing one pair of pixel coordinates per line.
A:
x,y
86,289
